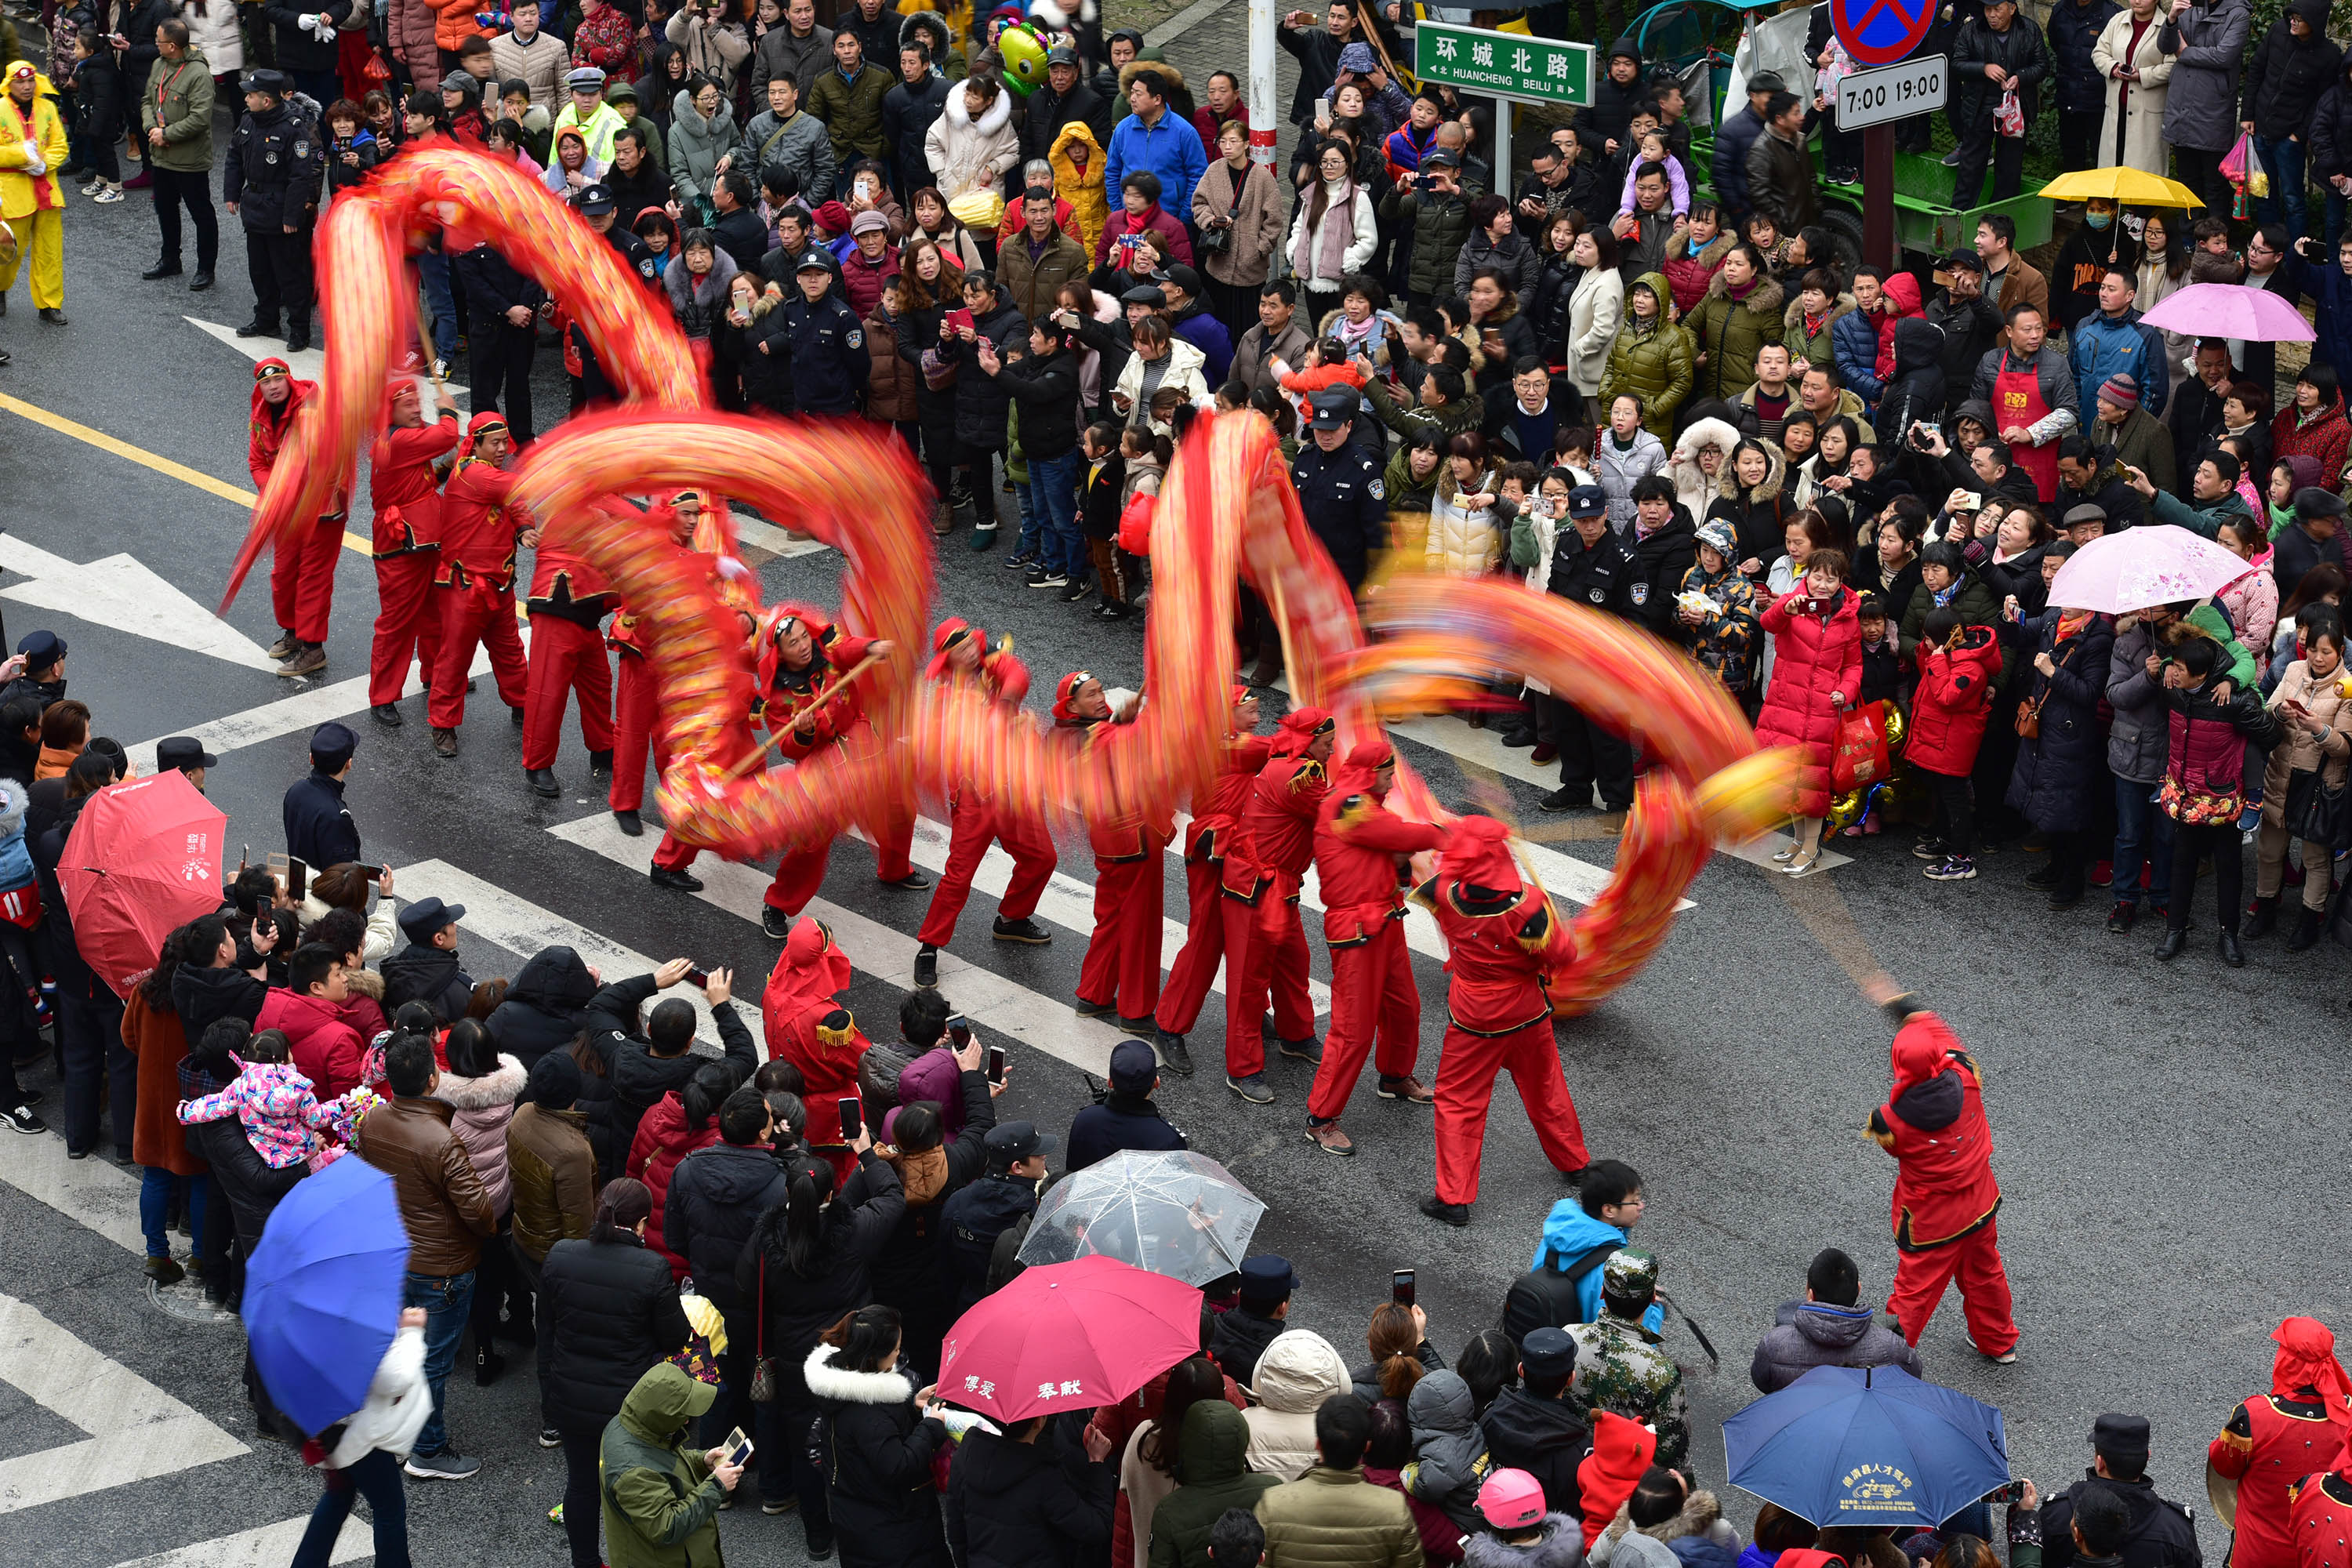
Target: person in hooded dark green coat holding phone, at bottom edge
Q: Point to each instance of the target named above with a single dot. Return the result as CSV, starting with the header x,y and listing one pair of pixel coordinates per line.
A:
x,y
662,1506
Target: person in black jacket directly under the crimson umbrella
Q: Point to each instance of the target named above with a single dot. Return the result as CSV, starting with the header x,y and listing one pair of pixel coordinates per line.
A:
x,y
1031,1499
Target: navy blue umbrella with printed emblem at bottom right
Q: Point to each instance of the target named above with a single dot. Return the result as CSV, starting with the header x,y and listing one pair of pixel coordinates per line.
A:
x,y
1869,1447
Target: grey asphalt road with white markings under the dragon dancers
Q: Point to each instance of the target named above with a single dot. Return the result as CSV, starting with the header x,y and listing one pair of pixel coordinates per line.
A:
x,y
2167,1137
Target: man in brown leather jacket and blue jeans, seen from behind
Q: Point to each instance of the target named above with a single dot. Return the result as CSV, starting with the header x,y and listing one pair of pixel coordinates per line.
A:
x,y
448,1214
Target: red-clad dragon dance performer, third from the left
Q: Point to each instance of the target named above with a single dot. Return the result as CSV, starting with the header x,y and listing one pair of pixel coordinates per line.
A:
x,y
476,582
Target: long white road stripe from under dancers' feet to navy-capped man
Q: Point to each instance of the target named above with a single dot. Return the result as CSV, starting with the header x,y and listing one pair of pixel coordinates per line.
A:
x,y
982,996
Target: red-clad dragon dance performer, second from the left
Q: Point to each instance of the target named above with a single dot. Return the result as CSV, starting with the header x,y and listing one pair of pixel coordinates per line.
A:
x,y
408,504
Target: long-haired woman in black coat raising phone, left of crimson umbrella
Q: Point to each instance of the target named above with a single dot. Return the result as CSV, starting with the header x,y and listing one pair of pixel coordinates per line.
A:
x,y
808,1264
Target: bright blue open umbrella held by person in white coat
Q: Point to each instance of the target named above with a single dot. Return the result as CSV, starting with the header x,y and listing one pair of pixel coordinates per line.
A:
x,y
323,1292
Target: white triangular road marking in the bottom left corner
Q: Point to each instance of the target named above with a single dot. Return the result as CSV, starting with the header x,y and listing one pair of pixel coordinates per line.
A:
x,y
135,1430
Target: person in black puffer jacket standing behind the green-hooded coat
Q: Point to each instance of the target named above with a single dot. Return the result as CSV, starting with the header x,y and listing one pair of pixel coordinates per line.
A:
x,y
608,1313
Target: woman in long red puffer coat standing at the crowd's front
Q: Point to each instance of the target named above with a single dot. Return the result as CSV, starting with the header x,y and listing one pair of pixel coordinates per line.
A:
x,y
1817,676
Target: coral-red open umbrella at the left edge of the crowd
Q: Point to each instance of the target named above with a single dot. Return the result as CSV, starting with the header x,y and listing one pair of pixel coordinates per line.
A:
x,y
142,862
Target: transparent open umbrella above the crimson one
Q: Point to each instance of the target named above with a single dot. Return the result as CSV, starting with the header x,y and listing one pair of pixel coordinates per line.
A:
x,y
1175,1214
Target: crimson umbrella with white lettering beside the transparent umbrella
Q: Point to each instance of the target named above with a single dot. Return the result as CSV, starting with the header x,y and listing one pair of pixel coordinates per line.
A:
x,y
1069,1336
